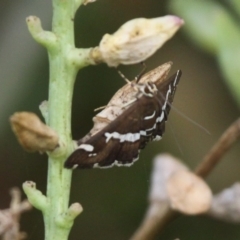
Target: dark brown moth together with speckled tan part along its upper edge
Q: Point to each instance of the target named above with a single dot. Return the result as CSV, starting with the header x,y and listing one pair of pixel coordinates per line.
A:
x,y
135,116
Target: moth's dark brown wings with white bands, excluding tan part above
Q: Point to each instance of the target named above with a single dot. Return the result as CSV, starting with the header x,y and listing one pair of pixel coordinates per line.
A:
x,y
119,142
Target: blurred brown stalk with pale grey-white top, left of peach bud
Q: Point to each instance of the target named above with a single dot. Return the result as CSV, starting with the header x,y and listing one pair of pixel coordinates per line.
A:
x,y
159,212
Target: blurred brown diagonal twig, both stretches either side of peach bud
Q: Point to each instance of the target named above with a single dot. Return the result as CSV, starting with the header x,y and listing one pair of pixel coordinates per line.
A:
x,y
155,221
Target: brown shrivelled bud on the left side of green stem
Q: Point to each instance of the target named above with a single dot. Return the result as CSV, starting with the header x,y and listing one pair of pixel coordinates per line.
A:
x,y
32,134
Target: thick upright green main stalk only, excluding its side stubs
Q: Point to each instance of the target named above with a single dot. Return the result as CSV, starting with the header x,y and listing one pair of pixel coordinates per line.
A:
x,y
62,77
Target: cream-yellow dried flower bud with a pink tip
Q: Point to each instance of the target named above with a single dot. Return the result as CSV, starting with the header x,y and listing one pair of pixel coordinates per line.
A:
x,y
137,39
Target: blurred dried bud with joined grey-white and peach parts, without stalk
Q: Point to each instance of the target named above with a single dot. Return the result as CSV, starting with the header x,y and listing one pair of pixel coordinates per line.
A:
x,y
174,184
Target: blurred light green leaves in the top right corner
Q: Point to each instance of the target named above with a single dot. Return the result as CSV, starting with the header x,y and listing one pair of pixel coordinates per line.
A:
x,y
215,29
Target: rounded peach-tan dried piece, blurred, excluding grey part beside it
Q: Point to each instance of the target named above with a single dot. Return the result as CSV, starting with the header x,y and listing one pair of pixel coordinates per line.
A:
x,y
188,193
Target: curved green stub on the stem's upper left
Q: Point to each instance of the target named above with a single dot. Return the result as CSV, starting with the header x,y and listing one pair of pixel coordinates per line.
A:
x,y
46,38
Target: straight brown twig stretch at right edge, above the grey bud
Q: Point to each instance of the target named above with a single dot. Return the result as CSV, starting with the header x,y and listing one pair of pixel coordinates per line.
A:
x,y
228,138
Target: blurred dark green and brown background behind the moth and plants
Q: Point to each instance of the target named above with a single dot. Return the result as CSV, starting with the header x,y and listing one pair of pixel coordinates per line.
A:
x,y
114,200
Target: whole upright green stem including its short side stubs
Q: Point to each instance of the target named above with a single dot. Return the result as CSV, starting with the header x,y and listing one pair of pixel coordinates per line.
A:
x,y
65,61
